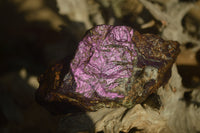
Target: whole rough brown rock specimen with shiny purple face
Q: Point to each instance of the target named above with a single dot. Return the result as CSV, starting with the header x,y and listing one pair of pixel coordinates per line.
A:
x,y
114,66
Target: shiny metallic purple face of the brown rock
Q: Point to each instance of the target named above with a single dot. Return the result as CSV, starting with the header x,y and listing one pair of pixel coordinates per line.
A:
x,y
103,61
